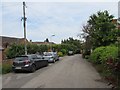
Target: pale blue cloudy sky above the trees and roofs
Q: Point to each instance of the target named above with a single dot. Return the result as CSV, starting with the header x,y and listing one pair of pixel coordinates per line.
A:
x,y
63,19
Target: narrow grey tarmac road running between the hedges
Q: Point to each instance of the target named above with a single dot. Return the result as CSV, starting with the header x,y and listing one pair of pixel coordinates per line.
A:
x,y
69,72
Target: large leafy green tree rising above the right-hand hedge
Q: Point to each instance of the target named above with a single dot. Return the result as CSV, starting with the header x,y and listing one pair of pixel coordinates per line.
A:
x,y
100,29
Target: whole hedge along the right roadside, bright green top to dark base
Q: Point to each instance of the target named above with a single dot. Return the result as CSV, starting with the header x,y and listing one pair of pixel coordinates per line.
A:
x,y
106,61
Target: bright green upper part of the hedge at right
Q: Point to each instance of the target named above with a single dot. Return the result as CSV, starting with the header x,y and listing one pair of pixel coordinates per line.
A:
x,y
101,54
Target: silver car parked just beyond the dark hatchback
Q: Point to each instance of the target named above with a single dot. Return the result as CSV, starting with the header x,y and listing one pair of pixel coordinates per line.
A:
x,y
51,56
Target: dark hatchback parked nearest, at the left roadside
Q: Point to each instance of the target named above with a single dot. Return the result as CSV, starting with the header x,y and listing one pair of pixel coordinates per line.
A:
x,y
29,62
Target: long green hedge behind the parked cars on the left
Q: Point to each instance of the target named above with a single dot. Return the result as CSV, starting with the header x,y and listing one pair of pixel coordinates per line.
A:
x,y
18,49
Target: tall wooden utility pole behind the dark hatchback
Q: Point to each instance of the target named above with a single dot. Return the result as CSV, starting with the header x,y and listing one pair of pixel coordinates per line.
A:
x,y
24,24
